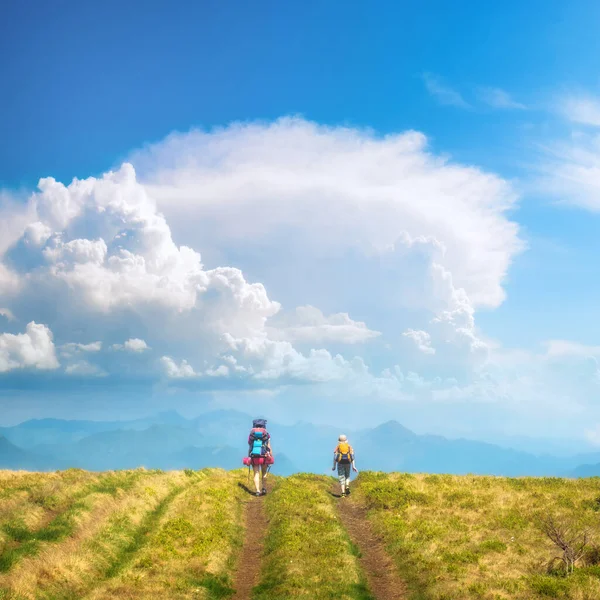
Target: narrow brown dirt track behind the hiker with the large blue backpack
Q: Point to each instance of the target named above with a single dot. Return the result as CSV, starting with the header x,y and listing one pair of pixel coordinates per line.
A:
x,y
248,569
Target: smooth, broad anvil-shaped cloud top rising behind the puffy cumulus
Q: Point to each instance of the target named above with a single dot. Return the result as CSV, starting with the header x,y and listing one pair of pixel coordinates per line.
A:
x,y
312,194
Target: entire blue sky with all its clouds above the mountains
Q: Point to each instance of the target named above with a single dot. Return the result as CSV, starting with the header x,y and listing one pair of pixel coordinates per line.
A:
x,y
338,212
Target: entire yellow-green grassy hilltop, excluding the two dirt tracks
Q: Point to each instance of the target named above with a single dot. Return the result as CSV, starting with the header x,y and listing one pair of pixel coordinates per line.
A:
x,y
152,534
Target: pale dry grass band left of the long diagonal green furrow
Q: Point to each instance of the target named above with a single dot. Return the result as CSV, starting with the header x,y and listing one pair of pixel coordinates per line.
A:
x,y
91,540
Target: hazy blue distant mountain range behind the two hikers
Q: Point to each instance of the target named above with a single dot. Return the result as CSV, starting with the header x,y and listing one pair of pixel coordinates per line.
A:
x,y
169,441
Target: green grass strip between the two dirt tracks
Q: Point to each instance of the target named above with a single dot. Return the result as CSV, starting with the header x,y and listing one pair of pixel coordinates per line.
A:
x,y
307,551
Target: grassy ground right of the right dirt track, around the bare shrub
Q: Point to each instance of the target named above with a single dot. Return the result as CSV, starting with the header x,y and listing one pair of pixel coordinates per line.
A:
x,y
460,538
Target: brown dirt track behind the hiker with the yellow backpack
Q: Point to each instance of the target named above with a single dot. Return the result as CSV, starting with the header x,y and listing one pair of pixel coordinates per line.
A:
x,y
378,567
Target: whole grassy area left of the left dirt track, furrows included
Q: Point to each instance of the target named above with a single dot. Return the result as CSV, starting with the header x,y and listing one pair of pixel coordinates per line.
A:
x,y
128,534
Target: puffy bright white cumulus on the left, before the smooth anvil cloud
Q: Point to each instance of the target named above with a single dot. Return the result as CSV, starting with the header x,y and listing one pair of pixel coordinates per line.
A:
x,y
98,257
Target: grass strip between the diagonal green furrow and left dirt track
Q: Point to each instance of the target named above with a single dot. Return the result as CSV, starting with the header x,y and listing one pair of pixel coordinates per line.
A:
x,y
189,550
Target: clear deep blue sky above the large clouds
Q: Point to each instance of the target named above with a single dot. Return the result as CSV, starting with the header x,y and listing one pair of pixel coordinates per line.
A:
x,y
106,78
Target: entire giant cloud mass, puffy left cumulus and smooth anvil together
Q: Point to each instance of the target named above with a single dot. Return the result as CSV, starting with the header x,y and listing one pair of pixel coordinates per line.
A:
x,y
369,225
